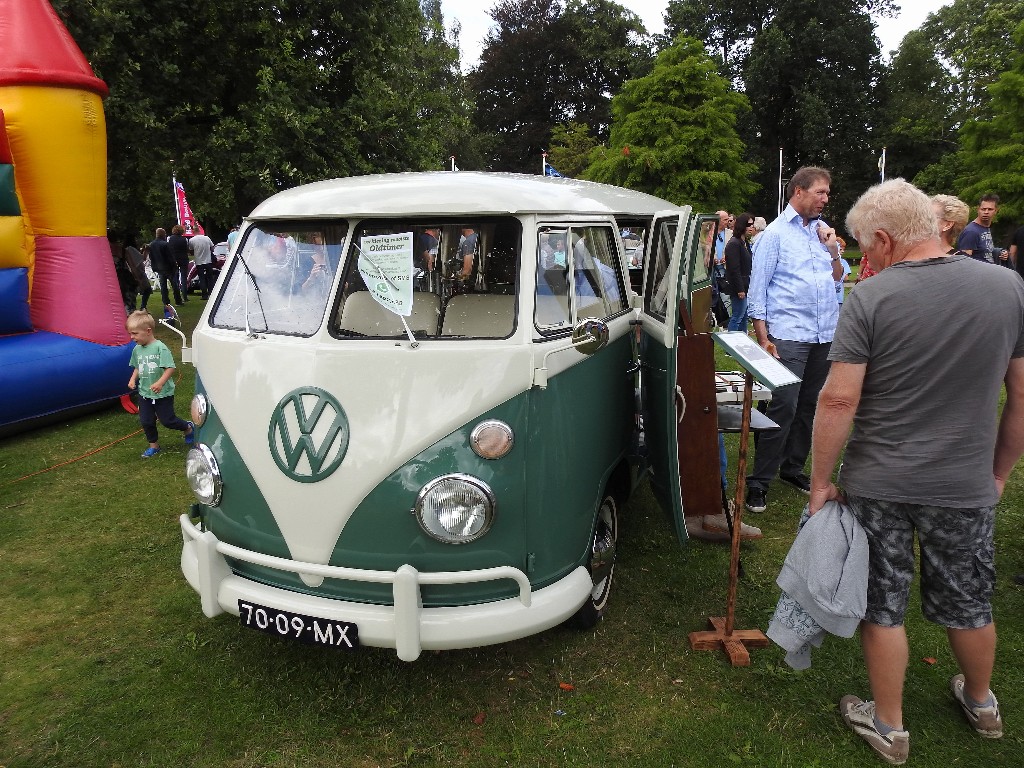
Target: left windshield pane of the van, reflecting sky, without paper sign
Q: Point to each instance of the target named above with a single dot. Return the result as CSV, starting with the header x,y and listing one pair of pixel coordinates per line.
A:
x,y
281,280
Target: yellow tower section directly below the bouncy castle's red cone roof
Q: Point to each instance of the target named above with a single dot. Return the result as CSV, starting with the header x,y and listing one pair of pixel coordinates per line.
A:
x,y
61,136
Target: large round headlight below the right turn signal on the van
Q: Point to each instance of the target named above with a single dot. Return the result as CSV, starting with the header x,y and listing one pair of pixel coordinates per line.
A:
x,y
455,509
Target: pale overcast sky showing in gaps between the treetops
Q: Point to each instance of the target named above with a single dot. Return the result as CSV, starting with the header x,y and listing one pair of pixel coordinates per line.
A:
x,y
476,22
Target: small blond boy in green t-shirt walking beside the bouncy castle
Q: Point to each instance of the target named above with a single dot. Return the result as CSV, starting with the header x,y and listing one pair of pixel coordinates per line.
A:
x,y
154,372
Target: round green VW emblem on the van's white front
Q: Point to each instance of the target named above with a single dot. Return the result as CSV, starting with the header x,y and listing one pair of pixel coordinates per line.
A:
x,y
309,435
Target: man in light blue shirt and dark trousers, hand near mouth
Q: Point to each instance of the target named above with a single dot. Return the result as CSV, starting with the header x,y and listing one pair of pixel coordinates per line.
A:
x,y
792,303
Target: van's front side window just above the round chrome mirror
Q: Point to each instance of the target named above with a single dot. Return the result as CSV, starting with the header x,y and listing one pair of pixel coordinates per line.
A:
x,y
578,276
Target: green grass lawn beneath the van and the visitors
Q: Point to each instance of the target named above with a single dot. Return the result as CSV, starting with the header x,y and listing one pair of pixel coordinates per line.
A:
x,y
106,659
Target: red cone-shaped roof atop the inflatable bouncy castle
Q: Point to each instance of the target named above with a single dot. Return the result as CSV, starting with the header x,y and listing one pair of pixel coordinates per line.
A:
x,y
37,50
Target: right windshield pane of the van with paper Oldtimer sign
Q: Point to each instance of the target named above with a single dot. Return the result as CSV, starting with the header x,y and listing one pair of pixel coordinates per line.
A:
x,y
438,279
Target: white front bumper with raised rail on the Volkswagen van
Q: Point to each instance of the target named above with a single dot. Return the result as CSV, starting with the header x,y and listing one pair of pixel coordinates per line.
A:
x,y
407,626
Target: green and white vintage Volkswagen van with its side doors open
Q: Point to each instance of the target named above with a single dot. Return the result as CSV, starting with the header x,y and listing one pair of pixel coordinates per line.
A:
x,y
419,406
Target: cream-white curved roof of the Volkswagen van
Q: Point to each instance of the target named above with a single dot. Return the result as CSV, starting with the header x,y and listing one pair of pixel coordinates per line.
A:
x,y
455,193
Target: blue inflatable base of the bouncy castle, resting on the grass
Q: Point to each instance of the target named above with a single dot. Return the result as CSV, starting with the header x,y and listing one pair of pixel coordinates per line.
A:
x,y
44,373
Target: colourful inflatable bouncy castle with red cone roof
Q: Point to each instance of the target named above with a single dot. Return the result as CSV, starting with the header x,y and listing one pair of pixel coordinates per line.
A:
x,y
63,344
